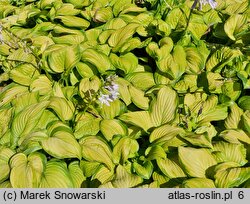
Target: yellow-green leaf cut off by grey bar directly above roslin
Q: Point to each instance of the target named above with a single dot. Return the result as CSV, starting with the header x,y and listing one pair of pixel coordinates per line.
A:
x,y
198,183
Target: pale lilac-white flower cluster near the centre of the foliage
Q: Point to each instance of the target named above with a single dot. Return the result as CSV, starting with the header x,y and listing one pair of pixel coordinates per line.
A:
x,y
111,91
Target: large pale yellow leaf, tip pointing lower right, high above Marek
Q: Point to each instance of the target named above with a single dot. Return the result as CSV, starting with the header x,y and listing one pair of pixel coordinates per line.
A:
x,y
56,143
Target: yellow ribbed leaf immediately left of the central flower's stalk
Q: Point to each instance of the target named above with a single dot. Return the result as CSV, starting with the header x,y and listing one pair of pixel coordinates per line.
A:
x,y
63,108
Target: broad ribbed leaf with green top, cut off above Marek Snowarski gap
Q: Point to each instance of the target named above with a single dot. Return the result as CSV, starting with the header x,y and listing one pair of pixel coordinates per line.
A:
x,y
56,175
